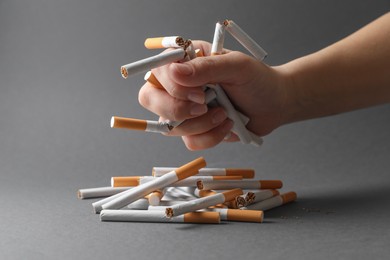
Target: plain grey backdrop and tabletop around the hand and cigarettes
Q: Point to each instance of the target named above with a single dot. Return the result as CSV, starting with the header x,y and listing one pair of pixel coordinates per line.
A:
x,y
60,84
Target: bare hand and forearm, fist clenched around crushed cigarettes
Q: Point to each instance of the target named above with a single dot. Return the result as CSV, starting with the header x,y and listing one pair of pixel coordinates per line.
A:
x,y
350,74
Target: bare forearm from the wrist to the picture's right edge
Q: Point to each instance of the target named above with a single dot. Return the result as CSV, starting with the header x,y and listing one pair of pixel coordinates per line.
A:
x,y
350,74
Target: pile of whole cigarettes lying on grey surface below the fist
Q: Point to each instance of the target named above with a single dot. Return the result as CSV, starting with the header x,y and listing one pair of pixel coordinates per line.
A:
x,y
191,193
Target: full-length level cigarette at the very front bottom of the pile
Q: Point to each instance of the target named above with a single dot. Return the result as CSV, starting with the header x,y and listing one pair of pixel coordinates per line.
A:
x,y
158,216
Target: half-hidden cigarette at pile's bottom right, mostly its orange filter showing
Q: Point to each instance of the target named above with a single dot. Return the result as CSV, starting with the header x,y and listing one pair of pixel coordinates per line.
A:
x,y
240,215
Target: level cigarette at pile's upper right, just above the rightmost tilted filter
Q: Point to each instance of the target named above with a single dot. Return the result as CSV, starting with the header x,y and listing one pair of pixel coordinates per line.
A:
x,y
243,184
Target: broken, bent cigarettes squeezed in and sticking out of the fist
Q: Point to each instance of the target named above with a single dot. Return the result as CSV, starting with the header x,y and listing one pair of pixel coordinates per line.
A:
x,y
181,50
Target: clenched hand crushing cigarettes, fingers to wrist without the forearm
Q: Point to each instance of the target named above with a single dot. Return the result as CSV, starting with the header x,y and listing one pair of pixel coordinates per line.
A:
x,y
255,89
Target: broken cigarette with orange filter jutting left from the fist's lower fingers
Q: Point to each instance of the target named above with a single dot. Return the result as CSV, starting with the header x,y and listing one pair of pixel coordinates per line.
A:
x,y
139,124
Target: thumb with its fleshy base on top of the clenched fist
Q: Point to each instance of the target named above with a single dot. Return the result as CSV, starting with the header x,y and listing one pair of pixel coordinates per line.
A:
x,y
230,68
